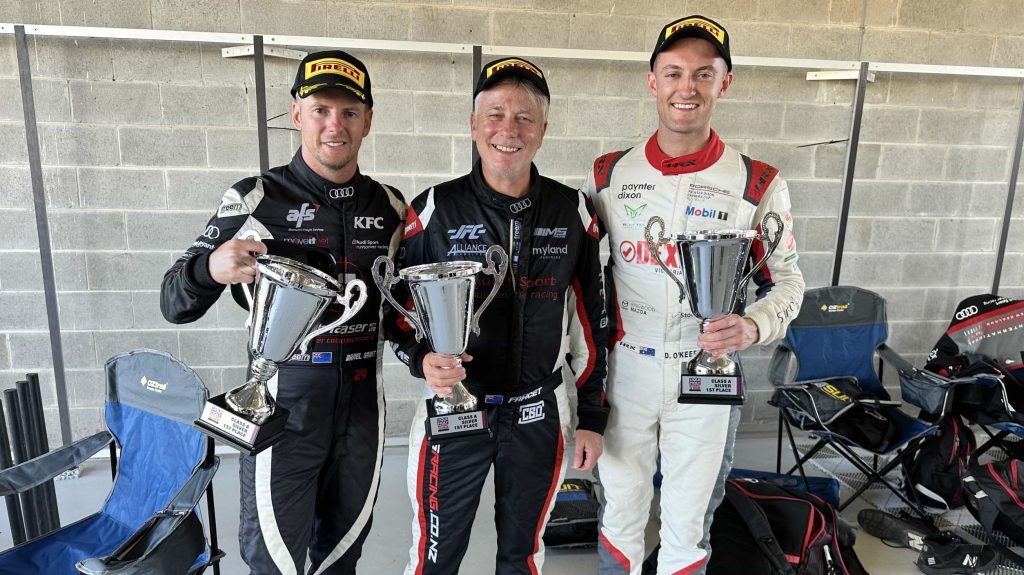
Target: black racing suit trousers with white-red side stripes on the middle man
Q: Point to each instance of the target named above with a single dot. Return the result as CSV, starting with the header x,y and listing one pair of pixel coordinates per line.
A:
x,y
528,440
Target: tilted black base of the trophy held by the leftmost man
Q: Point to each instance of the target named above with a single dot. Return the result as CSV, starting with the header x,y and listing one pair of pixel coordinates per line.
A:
x,y
222,423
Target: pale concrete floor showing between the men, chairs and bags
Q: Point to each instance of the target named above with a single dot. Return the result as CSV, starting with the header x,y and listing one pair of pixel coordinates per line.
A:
x,y
388,546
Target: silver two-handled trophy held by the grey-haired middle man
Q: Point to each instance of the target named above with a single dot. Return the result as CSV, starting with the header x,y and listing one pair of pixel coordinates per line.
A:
x,y
443,297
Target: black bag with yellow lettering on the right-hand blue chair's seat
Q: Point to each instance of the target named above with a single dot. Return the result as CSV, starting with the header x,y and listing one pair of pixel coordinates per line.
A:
x,y
840,407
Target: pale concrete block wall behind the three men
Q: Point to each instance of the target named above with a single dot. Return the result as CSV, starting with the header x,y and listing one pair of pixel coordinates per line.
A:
x,y
141,139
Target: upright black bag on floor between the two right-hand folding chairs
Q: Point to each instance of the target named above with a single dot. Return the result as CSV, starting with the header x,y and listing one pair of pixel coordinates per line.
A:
x,y
935,470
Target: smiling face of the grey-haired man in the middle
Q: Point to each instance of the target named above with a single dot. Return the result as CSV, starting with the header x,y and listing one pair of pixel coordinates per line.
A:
x,y
508,128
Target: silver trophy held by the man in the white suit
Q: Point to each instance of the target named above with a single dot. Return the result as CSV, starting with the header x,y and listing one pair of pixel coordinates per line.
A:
x,y
713,282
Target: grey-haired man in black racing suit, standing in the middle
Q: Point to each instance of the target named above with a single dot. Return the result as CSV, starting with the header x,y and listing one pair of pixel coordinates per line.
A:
x,y
553,288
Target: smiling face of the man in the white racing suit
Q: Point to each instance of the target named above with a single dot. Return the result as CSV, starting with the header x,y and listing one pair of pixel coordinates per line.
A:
x,y
688,80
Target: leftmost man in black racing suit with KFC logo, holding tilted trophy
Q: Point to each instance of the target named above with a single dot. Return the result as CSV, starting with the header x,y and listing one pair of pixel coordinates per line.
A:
x,y
314,492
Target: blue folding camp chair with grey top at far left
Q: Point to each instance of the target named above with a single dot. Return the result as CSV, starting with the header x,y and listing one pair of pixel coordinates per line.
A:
x,y
150,523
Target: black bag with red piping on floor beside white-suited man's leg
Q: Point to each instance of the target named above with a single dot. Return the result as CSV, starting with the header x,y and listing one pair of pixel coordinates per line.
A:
x,y
762,528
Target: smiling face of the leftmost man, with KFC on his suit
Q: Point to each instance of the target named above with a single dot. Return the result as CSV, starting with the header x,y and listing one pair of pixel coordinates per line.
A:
x,y
333,124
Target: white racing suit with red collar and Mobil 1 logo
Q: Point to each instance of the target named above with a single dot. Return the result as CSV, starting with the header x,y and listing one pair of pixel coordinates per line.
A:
x,y
653,336
